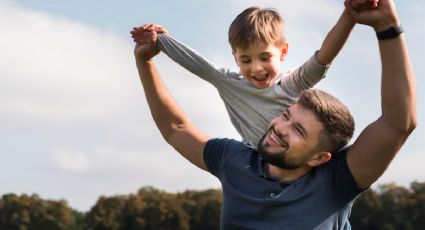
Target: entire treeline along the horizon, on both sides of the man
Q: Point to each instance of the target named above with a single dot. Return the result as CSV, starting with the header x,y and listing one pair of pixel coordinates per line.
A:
x,y
388,207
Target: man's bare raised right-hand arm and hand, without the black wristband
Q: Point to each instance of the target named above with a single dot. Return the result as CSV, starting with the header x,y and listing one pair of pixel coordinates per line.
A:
x,y
377,145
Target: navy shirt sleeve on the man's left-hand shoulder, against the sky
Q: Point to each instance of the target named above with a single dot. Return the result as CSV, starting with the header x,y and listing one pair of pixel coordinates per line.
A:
x,y
214,154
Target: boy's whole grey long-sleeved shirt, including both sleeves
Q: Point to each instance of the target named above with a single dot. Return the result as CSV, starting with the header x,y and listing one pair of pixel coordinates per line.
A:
x,y
250,109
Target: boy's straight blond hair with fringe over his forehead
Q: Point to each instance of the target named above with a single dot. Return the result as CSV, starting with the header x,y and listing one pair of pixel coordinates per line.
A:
x,y
257,25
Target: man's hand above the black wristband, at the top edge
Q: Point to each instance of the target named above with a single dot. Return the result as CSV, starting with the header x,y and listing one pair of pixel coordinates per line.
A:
x,y
381,18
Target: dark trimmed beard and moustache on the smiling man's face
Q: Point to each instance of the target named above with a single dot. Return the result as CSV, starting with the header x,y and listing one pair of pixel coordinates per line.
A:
x,y
277,159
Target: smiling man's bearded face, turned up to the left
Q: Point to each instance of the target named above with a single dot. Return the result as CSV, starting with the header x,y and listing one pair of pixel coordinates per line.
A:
x,y
292,139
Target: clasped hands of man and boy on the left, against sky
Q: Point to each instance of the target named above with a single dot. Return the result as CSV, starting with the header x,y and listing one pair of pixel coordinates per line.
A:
x,y
146,37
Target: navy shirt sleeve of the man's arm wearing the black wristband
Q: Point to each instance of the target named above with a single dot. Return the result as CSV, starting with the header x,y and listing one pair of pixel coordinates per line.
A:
x,y
342,179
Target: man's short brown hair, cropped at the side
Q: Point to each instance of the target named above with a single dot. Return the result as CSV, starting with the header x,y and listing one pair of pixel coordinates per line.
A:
x,y
337,120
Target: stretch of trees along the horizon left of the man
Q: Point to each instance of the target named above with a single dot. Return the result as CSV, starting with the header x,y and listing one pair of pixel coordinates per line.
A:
x,y
148,209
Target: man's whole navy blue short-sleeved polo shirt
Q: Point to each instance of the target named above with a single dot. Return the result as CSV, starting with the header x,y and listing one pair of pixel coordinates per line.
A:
x,y
321,199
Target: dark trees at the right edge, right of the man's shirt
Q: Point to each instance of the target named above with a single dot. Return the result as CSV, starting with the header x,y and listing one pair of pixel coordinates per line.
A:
x,y
390,207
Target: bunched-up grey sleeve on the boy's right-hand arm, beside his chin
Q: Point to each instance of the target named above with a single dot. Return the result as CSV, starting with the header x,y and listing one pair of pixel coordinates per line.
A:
x,y
304,77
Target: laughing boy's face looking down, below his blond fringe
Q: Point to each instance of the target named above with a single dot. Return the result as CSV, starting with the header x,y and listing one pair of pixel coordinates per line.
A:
x,y
260,63
